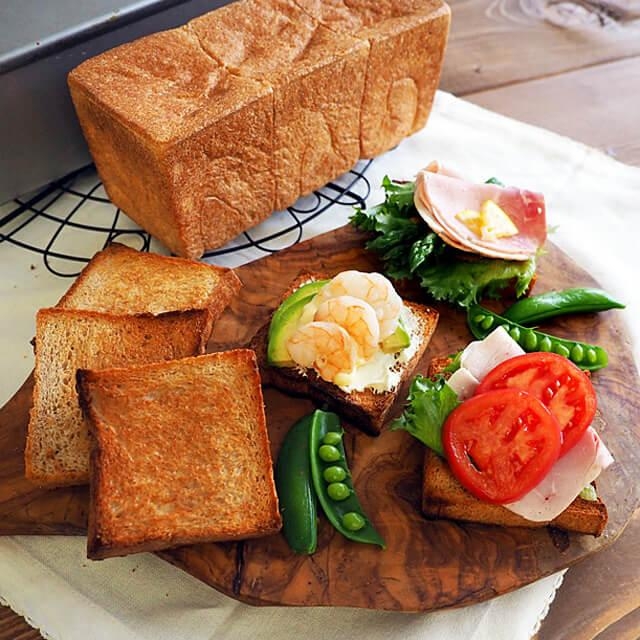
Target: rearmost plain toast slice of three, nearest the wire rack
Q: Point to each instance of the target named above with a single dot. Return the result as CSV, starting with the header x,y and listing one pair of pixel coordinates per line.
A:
x,y
121,280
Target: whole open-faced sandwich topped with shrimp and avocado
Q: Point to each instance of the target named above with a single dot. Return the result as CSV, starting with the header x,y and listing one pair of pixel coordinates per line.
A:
x,y
349,341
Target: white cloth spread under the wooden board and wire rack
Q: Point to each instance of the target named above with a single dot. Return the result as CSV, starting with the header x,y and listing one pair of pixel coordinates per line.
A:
x,y
592,200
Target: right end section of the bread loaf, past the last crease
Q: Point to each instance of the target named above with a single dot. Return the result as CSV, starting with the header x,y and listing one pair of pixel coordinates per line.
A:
x,y
407,40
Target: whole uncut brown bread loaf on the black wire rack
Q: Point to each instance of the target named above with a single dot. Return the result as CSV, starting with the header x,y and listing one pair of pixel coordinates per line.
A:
x,y
201,132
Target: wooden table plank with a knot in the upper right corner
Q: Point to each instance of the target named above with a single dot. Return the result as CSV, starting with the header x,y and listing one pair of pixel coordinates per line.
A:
x,y
494,43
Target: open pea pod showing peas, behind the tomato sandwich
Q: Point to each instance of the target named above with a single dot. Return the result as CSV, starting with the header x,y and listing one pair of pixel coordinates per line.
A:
x,y
482,322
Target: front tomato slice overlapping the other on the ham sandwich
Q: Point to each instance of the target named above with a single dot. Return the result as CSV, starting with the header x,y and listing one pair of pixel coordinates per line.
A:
x,y
501,444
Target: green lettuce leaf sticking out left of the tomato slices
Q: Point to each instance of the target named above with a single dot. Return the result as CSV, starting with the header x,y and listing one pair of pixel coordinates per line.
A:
x,y
429,403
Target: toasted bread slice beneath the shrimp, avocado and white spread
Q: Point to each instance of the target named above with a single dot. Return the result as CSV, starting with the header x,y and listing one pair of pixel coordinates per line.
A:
x,y
366,409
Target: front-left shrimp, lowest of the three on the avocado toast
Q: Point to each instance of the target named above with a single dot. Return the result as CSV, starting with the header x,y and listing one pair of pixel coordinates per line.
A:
x,y
325,346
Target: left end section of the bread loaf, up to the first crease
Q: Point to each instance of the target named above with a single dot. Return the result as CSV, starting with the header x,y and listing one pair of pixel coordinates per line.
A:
x,y
163,120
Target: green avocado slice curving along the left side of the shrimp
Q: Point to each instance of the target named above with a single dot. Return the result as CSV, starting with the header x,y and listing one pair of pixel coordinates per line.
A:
x,y
285,320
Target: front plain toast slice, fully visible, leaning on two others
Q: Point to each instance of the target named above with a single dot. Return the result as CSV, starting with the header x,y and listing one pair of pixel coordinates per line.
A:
x,y
180,454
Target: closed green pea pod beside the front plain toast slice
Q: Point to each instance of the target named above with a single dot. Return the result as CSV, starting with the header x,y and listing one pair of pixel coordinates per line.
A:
x,y
296,495
